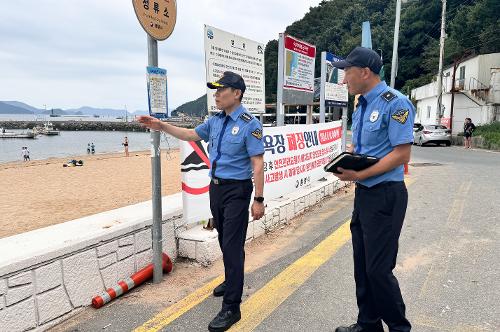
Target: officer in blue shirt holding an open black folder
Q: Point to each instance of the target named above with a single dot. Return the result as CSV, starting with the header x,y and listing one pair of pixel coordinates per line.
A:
x,y
382,126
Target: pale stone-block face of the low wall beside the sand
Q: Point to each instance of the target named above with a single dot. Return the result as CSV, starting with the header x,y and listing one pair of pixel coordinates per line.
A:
x,y
40,296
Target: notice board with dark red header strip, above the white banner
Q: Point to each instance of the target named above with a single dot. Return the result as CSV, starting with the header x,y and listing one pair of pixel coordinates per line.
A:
x,y
299,65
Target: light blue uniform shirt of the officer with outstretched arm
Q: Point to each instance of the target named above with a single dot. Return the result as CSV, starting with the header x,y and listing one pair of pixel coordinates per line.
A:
x,y
232,141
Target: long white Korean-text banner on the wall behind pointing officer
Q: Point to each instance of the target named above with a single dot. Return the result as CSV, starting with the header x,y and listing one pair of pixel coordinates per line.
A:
x,y
294,158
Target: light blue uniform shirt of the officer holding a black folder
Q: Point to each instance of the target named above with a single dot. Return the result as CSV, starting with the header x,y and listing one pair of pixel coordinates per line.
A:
x,y
383,119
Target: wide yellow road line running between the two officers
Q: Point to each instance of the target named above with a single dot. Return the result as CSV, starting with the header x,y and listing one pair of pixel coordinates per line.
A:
x,y
268,298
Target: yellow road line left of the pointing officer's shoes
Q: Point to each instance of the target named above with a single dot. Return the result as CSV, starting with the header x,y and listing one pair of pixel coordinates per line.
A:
x,y
176,310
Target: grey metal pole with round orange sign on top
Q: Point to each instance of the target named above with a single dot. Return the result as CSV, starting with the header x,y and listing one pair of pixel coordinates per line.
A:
x,y
158,20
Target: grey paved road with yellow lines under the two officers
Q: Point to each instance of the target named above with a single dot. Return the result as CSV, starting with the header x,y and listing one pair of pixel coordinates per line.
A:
x,y
448,265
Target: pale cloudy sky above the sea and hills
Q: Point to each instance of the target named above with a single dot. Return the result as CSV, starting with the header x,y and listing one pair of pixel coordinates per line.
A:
x,y
67,54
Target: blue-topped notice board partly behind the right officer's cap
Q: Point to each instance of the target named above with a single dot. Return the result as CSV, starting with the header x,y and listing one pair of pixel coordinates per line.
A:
x,y
336,93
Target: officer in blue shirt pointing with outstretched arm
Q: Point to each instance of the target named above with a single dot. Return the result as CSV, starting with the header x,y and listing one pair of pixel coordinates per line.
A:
x,y
236,153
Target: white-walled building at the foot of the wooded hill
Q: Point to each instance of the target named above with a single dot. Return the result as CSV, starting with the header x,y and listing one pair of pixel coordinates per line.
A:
x,y
476,94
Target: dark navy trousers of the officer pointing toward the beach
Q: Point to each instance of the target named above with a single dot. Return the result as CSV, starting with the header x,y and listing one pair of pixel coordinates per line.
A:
x,y
229,204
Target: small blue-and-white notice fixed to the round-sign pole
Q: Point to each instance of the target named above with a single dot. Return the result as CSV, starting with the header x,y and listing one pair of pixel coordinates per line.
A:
x,y
157,92
